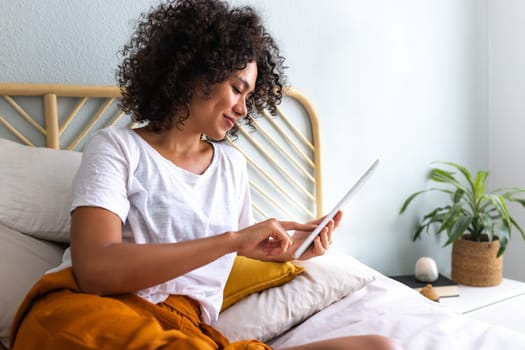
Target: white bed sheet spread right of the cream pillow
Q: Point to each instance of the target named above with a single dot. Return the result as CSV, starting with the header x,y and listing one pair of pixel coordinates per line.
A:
x,y
390,308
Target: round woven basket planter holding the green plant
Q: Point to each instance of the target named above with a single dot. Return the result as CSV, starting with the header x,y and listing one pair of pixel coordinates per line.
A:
x,y
476,264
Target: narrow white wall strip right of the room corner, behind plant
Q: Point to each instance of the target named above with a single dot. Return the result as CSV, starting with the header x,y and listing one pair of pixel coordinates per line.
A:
x,y
507,113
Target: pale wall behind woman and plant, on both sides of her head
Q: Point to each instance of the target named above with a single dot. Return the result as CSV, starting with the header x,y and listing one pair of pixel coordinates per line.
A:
x,y
405,81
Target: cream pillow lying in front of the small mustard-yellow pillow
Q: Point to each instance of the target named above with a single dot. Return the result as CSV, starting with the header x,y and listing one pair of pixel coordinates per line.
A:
x,y
265,315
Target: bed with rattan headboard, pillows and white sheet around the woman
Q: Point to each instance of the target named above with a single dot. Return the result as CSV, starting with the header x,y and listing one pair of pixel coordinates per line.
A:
x,y
42,131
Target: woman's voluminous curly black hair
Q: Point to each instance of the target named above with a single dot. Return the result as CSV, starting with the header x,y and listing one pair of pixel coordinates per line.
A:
x,y
181,41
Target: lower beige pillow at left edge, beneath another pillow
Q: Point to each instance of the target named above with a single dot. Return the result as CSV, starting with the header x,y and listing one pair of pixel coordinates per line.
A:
x,y
23,260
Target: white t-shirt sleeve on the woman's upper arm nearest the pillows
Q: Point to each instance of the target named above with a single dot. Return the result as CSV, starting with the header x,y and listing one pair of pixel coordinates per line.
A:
x,y
102,178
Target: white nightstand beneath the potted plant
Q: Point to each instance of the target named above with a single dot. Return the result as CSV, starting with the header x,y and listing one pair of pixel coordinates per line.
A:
x,y
502,305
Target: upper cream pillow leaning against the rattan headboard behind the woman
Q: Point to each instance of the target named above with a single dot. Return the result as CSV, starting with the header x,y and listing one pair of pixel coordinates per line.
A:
x,y
36,189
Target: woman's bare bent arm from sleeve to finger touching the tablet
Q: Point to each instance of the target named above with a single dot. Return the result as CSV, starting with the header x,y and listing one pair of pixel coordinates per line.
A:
x,y
103,264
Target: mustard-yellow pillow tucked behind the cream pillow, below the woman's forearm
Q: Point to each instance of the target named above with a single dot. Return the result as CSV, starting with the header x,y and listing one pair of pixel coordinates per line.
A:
x,y
249,276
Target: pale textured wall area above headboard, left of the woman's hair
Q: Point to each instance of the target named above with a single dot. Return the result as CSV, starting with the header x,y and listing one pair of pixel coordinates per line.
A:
x,y
64,41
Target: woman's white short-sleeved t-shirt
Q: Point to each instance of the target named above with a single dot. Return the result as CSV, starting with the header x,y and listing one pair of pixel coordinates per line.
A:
x,y
159,202
